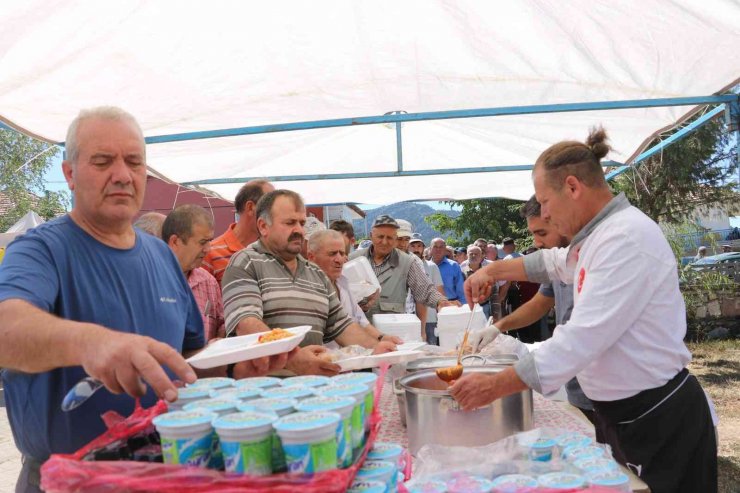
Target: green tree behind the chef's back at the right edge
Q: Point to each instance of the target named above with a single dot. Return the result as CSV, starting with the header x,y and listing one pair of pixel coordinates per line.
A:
x,y
694,172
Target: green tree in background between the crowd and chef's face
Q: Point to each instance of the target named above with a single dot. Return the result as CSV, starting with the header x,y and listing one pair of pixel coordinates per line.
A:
x,y
492,219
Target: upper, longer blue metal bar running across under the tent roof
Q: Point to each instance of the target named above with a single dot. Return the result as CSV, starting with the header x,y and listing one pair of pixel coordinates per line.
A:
x,y
446,115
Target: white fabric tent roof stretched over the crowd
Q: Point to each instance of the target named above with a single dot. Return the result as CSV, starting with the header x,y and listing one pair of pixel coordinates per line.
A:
x,y
231,63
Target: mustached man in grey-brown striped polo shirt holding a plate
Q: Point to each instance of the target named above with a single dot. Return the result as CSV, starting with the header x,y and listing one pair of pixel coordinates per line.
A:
x,y
270,285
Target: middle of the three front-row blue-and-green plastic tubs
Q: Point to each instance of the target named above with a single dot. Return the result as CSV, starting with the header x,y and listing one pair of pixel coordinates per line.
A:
x,y
246,442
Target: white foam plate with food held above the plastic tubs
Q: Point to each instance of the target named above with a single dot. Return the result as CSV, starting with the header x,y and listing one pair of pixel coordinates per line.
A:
x,y
242,348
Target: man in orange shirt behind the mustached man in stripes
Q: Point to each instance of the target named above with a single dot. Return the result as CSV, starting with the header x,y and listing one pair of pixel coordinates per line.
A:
x,y
240,234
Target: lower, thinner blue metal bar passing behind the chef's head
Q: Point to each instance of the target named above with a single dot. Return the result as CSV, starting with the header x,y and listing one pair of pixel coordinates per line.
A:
x,y
378,174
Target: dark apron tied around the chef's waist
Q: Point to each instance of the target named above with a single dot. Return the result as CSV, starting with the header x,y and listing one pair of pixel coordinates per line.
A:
x,y
664,435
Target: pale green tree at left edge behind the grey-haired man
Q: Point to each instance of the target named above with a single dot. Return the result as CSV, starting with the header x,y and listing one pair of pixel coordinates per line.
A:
x,y
23,162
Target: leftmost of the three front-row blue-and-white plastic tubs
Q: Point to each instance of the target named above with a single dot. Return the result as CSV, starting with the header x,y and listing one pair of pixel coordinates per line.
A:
x,y
187,437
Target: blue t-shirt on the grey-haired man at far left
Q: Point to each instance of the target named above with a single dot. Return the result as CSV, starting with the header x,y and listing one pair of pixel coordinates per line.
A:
x,y
61,269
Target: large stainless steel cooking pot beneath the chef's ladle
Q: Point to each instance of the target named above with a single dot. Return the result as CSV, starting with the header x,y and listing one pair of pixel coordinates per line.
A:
x,y
434,417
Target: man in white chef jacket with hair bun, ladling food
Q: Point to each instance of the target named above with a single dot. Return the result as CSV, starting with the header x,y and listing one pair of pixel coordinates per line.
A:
x,y
624,339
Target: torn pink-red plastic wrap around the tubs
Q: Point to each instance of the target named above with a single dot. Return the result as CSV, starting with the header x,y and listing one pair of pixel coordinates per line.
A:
x,y
64,473
